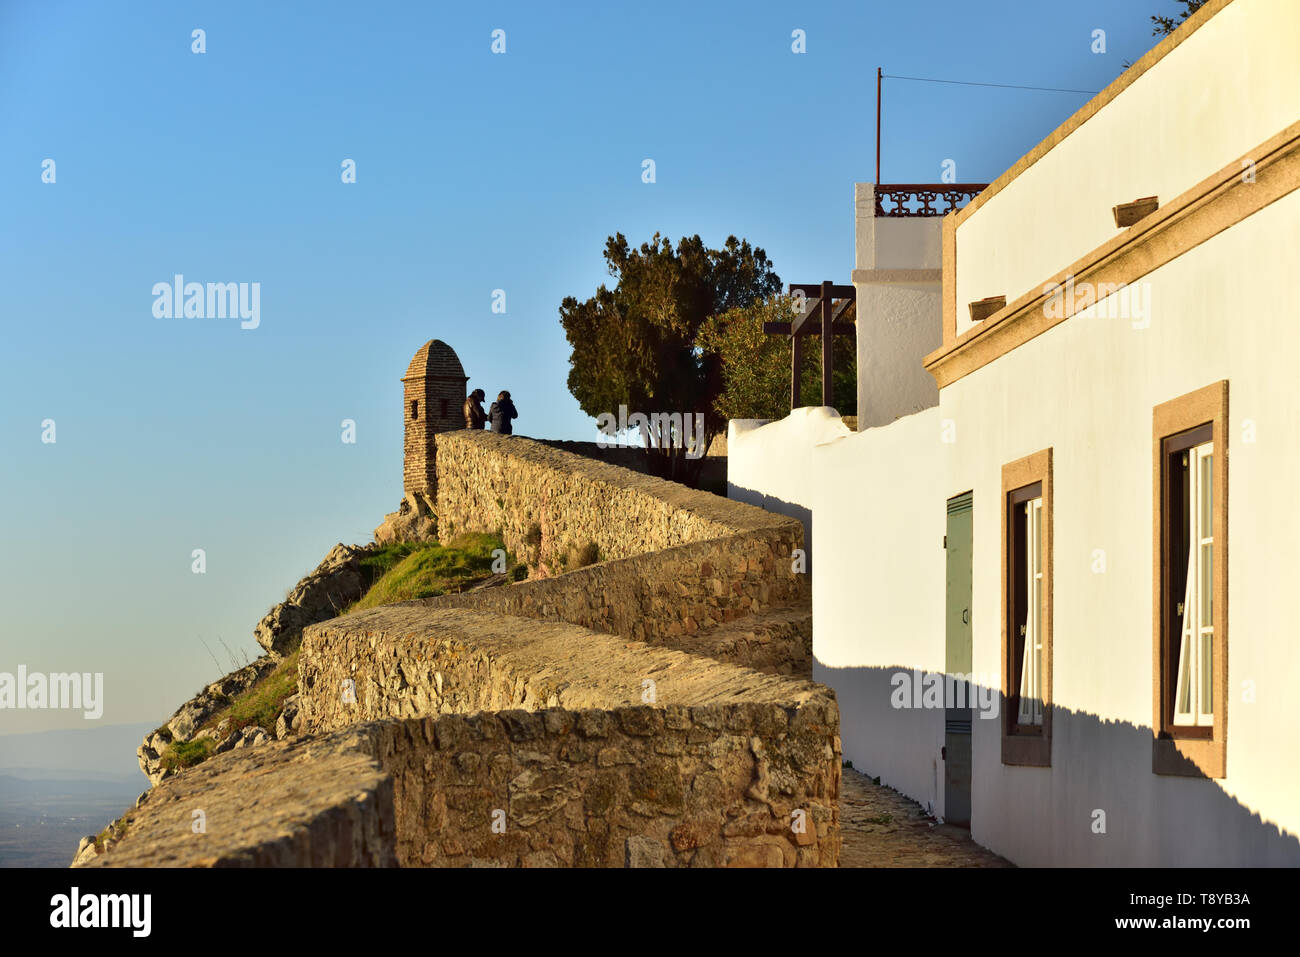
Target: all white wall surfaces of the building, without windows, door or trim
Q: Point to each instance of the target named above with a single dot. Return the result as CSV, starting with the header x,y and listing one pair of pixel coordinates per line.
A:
x,y
1086,389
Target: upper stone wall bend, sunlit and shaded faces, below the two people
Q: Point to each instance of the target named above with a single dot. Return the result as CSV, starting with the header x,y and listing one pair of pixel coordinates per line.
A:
x,y
735,561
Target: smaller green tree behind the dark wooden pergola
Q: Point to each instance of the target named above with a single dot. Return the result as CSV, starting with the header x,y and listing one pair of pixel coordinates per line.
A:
x,y
756,367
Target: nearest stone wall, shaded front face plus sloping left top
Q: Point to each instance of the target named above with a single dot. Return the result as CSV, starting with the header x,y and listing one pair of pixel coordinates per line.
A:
x,y
742,785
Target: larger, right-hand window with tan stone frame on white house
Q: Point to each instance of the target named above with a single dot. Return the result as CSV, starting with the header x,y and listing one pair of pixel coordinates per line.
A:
x,y
1190,601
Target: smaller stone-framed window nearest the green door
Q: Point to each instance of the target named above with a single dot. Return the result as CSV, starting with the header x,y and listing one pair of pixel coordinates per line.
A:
x,y
1028,610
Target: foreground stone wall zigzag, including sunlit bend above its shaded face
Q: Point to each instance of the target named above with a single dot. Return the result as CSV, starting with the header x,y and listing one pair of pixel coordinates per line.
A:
x,y
476,739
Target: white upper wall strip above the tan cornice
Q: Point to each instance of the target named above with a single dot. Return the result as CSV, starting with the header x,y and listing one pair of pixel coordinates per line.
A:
x,y
1221,93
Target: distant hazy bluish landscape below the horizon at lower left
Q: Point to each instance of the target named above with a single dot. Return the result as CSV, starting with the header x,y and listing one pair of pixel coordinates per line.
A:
x,y
59,786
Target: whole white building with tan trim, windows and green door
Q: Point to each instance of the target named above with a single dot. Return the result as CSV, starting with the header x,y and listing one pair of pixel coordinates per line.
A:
x,y
1086,500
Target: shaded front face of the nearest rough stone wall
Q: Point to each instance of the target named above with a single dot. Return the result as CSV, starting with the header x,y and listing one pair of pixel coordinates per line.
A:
x,y
739,785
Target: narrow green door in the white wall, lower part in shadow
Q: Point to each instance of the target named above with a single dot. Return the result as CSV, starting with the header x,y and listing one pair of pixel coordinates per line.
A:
x,y
957,661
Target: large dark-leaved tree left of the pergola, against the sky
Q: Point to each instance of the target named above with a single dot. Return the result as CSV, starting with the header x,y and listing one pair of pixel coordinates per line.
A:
x,y
636,344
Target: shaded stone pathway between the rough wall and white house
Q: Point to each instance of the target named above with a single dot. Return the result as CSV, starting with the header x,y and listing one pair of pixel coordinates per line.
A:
x,y
885,829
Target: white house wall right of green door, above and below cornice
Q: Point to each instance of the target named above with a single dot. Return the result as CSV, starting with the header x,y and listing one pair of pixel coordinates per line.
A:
x,y
1087,389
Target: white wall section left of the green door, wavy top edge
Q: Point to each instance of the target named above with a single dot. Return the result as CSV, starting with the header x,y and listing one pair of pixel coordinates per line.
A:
x,y
878,581
